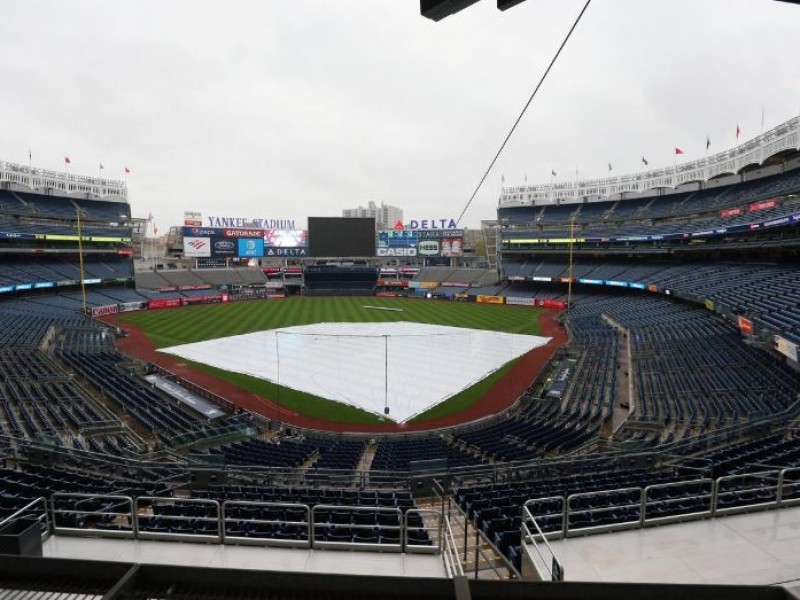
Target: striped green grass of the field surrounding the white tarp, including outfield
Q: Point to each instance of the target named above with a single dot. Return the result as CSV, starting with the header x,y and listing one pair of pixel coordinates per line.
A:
x,y
181,326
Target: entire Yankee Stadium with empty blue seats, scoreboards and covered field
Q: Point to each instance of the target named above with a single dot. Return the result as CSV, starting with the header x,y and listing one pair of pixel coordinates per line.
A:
x,y
603,402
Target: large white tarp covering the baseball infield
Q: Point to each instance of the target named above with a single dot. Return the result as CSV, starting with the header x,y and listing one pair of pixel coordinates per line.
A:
x,y
348,362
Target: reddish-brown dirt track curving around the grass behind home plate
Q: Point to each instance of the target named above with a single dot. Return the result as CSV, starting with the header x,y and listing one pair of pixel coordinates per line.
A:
x,y
501,395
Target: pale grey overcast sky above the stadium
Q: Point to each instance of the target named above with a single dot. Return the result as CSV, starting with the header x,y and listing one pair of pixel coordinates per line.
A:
x,y
268,109
